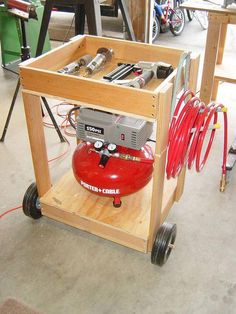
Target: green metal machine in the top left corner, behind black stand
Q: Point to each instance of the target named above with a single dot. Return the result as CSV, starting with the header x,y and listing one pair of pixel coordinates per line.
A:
x,y
10,34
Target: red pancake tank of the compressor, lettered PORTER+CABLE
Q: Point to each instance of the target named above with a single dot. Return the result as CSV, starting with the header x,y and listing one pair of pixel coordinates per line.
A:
x,y
124,171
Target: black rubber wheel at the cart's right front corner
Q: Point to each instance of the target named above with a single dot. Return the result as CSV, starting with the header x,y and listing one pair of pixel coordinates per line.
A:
x,y
163,243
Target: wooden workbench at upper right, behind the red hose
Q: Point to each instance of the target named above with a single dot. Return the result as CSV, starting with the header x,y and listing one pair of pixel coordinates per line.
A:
x,y
213,69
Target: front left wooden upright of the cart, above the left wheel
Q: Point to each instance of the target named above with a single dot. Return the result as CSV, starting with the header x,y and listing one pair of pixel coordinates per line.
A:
x,y
34,121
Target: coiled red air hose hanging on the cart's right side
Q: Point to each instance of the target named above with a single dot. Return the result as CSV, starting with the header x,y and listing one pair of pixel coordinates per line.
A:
x,y
189,125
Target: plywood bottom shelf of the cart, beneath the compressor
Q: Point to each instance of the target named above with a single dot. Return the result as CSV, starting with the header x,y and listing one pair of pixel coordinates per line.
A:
x,y
69,203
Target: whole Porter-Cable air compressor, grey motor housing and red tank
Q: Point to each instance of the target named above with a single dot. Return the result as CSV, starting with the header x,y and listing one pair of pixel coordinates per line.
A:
x,y
113,158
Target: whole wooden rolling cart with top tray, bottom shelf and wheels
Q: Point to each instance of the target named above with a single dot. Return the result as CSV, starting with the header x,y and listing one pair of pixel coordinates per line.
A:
x,y
136,222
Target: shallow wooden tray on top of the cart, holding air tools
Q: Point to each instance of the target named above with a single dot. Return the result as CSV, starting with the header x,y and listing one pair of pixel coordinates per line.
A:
x,y
40,77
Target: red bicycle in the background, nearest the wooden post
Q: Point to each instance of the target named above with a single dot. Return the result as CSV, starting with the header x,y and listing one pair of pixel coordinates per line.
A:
x,y
174,20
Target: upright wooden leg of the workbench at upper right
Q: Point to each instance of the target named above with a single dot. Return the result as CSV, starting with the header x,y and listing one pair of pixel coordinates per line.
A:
x,y
211,51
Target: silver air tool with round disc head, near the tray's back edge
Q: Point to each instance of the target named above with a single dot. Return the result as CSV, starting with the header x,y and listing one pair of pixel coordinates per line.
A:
x,y
103,55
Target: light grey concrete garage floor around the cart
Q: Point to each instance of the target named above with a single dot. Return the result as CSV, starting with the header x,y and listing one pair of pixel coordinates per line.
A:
x,y
59,269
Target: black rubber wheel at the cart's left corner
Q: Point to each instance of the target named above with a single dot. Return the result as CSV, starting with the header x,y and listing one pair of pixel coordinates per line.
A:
x,y
31,205
